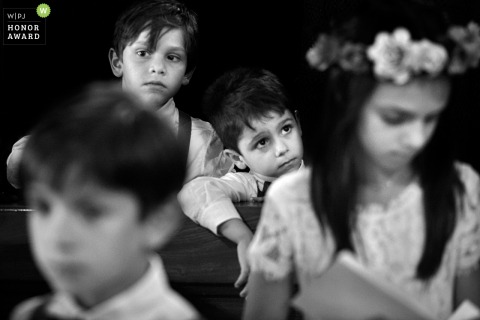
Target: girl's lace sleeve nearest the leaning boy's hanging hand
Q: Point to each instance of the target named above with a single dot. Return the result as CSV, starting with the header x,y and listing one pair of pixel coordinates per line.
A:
x,y
271,251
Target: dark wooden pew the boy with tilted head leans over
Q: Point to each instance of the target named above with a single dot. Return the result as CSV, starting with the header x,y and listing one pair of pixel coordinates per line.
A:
x,y
200,265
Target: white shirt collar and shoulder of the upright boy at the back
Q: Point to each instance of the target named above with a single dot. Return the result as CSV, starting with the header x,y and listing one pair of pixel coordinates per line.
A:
x,y
205,154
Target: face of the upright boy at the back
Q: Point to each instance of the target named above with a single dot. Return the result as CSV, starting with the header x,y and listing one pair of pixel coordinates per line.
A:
x,y
155,76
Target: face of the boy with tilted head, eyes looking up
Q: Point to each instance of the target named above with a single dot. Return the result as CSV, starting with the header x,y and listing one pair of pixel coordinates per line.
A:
x,y
274,146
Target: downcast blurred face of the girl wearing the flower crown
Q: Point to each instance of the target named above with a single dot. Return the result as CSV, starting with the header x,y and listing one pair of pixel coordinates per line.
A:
x,y
397,121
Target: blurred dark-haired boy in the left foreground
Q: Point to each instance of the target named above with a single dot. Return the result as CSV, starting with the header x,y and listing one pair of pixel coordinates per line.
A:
x,y
102,174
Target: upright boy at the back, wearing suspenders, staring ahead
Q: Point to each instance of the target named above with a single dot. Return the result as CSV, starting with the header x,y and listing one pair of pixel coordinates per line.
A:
x,y
154,52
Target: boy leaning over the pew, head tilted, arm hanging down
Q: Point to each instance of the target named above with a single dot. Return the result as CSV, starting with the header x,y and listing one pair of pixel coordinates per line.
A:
x,y
249,109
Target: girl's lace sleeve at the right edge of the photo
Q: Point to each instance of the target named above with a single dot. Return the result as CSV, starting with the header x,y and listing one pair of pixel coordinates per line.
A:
x,y
469,238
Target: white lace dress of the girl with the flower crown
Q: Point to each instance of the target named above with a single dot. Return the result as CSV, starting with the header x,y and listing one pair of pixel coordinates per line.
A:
x,y
388,241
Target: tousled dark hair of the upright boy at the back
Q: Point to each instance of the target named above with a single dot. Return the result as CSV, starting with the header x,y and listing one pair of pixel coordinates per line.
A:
x,y
157,15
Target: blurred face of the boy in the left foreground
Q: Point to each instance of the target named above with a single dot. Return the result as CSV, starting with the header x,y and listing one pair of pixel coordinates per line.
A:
x,y
87,241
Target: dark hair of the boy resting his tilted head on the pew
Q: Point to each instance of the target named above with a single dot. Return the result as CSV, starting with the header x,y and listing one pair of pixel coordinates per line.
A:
x,y
239,96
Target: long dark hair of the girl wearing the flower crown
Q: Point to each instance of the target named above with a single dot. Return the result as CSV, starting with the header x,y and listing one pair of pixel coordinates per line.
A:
x,y
335,178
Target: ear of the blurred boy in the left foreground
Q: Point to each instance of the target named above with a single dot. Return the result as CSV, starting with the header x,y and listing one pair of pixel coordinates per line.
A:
x,y
161,224
